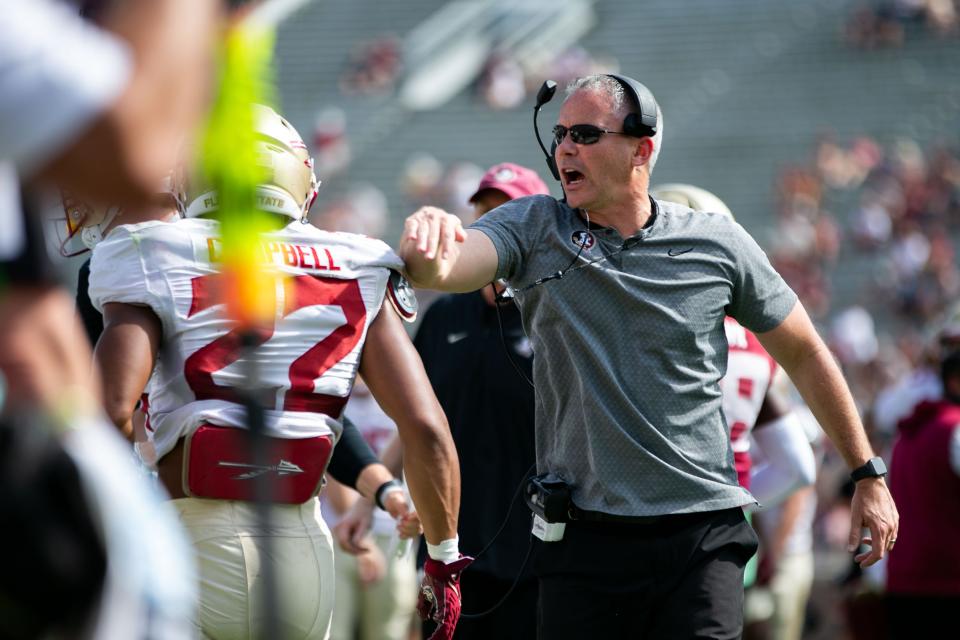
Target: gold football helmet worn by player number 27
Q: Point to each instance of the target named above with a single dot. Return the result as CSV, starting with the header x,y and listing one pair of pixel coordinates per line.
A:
x,y
289,187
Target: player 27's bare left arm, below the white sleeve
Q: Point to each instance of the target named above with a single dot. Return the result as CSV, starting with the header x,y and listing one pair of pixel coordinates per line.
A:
x,y
125,354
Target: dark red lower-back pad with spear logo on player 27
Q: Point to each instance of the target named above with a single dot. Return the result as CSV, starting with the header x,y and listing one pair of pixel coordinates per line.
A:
x,y
217,464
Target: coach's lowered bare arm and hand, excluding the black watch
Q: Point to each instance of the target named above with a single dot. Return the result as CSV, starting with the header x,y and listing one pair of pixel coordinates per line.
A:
x,y
798,348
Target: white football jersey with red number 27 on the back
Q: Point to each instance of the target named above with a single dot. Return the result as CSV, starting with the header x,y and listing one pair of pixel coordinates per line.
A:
x,y
305,362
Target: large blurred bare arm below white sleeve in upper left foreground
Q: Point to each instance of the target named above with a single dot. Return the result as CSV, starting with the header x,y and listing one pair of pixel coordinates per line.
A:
x,y
128,149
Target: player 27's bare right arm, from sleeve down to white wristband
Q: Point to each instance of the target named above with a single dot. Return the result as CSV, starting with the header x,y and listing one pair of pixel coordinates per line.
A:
x,y
393,371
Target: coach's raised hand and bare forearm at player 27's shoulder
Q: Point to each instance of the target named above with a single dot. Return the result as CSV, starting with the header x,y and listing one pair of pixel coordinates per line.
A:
x,y
440,254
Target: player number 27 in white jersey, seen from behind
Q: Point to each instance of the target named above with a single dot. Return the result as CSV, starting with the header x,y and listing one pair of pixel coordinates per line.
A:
x,y
338,311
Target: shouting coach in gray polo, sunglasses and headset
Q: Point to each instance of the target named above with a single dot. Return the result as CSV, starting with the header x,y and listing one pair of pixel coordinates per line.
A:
x,y
630,348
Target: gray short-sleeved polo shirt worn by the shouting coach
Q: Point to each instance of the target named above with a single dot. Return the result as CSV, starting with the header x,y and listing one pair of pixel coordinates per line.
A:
x,y
631,349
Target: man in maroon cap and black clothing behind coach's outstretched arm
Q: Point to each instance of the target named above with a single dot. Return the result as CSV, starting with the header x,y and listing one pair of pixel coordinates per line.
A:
x,y
470,345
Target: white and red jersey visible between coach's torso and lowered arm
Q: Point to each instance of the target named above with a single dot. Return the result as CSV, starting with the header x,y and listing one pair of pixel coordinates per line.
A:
x,y
750,372
